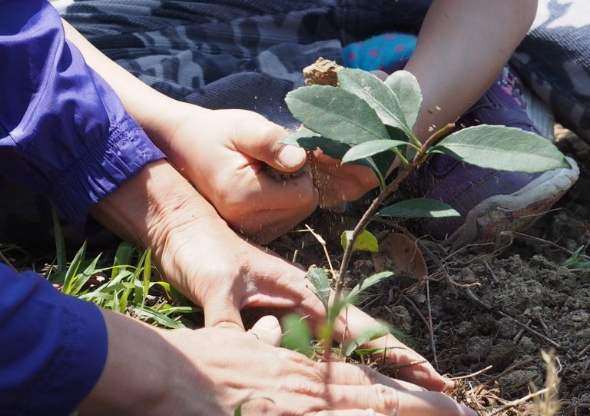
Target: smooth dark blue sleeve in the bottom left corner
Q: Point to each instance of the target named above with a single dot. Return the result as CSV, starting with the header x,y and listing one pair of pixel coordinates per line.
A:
x,y
53,350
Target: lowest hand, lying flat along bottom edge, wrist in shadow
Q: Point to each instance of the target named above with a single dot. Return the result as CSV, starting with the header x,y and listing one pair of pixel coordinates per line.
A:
x,y
213,371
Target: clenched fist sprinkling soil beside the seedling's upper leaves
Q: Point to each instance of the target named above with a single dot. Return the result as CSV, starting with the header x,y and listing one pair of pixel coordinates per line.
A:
x,y
226,154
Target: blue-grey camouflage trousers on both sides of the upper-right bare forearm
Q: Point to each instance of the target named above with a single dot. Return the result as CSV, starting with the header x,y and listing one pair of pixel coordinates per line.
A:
x,y
249,53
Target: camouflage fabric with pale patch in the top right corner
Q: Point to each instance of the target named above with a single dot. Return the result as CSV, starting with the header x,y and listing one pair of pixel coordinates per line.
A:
x,y
554,60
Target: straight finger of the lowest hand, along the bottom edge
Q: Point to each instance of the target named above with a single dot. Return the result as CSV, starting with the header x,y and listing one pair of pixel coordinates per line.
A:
x,y
391,401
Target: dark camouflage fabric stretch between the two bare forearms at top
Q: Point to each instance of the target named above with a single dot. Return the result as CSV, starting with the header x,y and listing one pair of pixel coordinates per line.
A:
x,y
233,53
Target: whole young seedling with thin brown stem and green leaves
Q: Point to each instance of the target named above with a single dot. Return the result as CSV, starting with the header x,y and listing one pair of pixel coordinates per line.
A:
x,y
371,123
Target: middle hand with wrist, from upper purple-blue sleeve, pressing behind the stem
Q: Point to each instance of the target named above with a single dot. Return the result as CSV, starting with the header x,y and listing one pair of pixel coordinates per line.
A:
x,y
218,270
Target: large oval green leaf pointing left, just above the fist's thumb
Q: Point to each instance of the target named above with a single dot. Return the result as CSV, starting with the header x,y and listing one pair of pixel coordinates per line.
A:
x,y
336,114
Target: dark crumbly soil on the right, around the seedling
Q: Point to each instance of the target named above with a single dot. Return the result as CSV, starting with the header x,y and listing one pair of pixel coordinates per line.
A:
x,y
481,298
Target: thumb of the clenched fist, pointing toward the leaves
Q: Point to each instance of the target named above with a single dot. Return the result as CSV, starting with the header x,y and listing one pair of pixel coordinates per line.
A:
x,y
261,141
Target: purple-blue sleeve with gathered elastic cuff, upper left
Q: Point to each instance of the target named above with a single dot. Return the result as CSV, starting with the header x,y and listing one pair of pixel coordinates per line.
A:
x,y
63,130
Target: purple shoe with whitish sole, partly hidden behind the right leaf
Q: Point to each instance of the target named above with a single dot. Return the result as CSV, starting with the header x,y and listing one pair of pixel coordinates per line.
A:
x,y
489,201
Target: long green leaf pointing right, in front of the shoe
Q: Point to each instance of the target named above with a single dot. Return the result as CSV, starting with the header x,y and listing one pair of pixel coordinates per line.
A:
x,y
502,148
